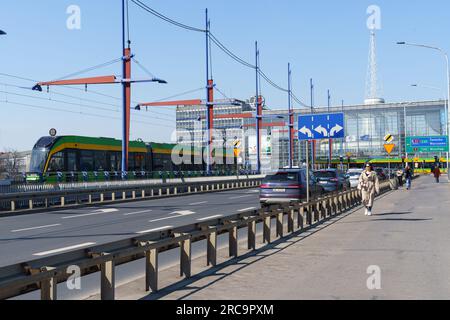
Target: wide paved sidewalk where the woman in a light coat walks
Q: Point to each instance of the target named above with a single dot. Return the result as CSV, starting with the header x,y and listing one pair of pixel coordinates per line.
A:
x,y
408,238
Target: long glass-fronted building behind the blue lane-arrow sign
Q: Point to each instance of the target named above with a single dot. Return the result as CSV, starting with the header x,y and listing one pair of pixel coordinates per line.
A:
x,y
365,129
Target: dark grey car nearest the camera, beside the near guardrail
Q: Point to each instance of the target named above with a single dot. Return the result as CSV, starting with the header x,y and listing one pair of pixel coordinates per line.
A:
x,y
288,185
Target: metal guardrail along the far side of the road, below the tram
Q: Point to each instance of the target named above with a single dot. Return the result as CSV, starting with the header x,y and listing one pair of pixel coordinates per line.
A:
x,y
28,201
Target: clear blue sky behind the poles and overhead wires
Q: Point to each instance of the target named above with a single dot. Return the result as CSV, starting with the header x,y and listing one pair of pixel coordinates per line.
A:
x,y
323,39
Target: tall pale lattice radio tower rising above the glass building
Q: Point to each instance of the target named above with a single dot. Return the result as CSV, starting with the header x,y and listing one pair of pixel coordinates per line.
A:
x,y
373,91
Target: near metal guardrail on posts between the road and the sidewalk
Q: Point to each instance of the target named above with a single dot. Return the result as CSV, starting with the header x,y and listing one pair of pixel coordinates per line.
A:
x,y
44,274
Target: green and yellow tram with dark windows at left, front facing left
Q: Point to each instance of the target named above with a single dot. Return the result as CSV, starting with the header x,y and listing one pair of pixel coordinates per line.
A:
x,y
77,158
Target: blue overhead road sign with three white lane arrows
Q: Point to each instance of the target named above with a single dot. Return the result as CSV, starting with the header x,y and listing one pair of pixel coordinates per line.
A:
x,y
321,126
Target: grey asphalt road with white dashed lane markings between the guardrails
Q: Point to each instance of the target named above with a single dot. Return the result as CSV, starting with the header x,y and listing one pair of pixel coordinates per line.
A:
x,y
27,237
